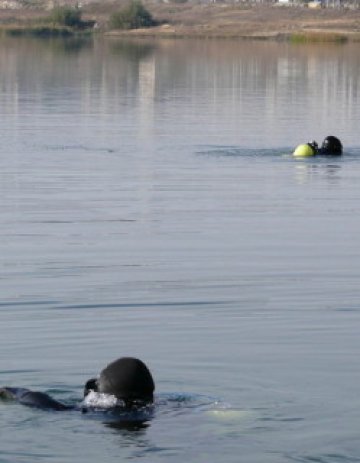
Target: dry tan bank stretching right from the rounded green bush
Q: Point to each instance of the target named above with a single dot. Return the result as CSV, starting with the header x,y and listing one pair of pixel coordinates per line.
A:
x,y
260,21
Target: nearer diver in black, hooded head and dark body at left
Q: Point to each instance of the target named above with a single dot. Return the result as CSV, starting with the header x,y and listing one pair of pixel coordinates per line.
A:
x,y
127,379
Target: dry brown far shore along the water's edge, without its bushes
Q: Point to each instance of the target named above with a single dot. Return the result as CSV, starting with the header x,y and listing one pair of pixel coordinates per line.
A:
x,y
215,20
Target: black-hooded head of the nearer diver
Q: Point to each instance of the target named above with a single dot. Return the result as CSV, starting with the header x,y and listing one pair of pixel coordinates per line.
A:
x,y
128,379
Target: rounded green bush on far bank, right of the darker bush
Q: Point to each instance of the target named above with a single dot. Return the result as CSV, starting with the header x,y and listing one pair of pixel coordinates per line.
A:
x,y
134,16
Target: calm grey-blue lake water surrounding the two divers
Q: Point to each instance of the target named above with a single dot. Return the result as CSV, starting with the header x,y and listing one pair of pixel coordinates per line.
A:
x,y
149,207
